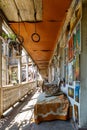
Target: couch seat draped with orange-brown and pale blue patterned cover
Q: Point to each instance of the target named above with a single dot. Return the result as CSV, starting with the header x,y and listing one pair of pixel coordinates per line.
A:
x,y
51,108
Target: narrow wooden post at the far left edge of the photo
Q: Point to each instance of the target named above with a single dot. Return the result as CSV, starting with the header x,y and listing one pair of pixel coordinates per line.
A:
x,y
1,92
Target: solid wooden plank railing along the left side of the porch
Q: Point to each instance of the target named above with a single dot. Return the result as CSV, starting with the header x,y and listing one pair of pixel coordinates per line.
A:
x,y
13,94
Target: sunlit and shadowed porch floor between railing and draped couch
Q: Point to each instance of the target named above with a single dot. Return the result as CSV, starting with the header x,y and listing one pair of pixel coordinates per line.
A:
x,y
20,118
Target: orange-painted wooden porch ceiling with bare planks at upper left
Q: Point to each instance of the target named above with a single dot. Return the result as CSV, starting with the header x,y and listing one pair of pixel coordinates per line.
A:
x,y
50,17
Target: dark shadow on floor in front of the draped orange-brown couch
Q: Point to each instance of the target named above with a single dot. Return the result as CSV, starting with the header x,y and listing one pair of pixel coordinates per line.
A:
x,y
51,125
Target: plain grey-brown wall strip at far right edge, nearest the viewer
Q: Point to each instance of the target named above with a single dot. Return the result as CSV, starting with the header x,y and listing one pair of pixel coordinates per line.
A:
x,y
83,68
